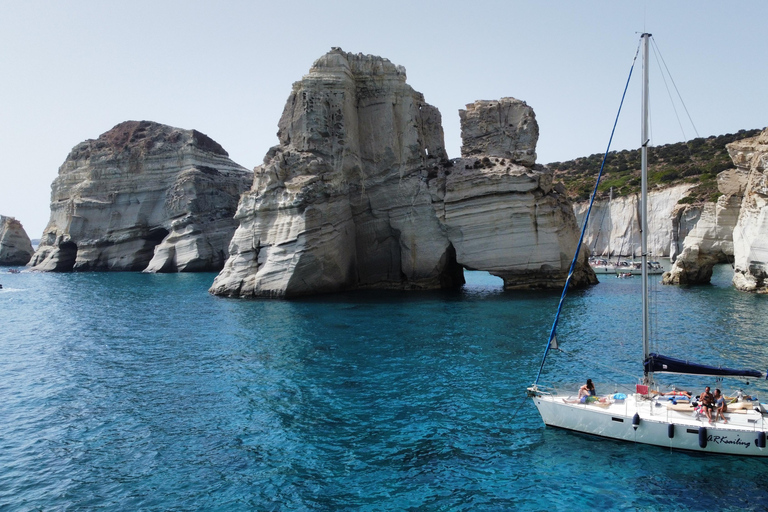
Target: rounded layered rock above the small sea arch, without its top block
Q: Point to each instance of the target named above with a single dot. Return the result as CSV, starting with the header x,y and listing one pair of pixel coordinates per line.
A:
x,y
509,220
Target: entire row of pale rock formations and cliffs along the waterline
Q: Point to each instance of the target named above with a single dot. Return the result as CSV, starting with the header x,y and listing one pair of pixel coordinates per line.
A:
x,y
359,193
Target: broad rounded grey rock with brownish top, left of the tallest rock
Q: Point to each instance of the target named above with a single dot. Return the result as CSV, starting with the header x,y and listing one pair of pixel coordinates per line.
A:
x,y
143,196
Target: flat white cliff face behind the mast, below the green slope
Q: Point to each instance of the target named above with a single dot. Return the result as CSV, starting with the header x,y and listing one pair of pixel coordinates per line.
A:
x,y
614,226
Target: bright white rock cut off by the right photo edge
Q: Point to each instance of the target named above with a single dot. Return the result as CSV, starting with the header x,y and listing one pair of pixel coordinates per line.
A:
x,y
750,237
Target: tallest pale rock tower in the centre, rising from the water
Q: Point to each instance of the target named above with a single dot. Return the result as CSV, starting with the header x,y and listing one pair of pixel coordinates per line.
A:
x,y
343,202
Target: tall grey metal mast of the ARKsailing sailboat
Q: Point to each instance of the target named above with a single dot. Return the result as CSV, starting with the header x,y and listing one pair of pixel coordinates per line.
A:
x,y
644,202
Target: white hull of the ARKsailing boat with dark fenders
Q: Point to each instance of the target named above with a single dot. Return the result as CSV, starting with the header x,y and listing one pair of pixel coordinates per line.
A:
x,y
738,437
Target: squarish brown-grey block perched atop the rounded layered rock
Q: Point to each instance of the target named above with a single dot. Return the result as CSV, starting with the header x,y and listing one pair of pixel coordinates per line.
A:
x,y
504,128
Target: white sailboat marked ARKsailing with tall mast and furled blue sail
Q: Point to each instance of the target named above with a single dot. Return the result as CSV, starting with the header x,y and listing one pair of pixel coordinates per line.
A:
x,y
643,414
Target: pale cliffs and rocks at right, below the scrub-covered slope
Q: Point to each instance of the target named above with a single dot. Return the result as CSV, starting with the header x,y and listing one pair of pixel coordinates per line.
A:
x,y
697,236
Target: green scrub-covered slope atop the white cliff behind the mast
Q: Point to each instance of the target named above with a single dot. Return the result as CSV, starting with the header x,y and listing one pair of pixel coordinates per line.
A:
x,y
696,161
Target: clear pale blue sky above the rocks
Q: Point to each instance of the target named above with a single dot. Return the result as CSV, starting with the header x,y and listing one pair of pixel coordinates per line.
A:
x,y
72,70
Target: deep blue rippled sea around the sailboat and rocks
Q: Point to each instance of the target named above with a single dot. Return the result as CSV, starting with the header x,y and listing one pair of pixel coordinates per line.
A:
x,y
129,391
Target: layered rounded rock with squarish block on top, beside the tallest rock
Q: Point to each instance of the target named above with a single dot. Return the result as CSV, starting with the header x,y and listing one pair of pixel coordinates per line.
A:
x,y
502,213
